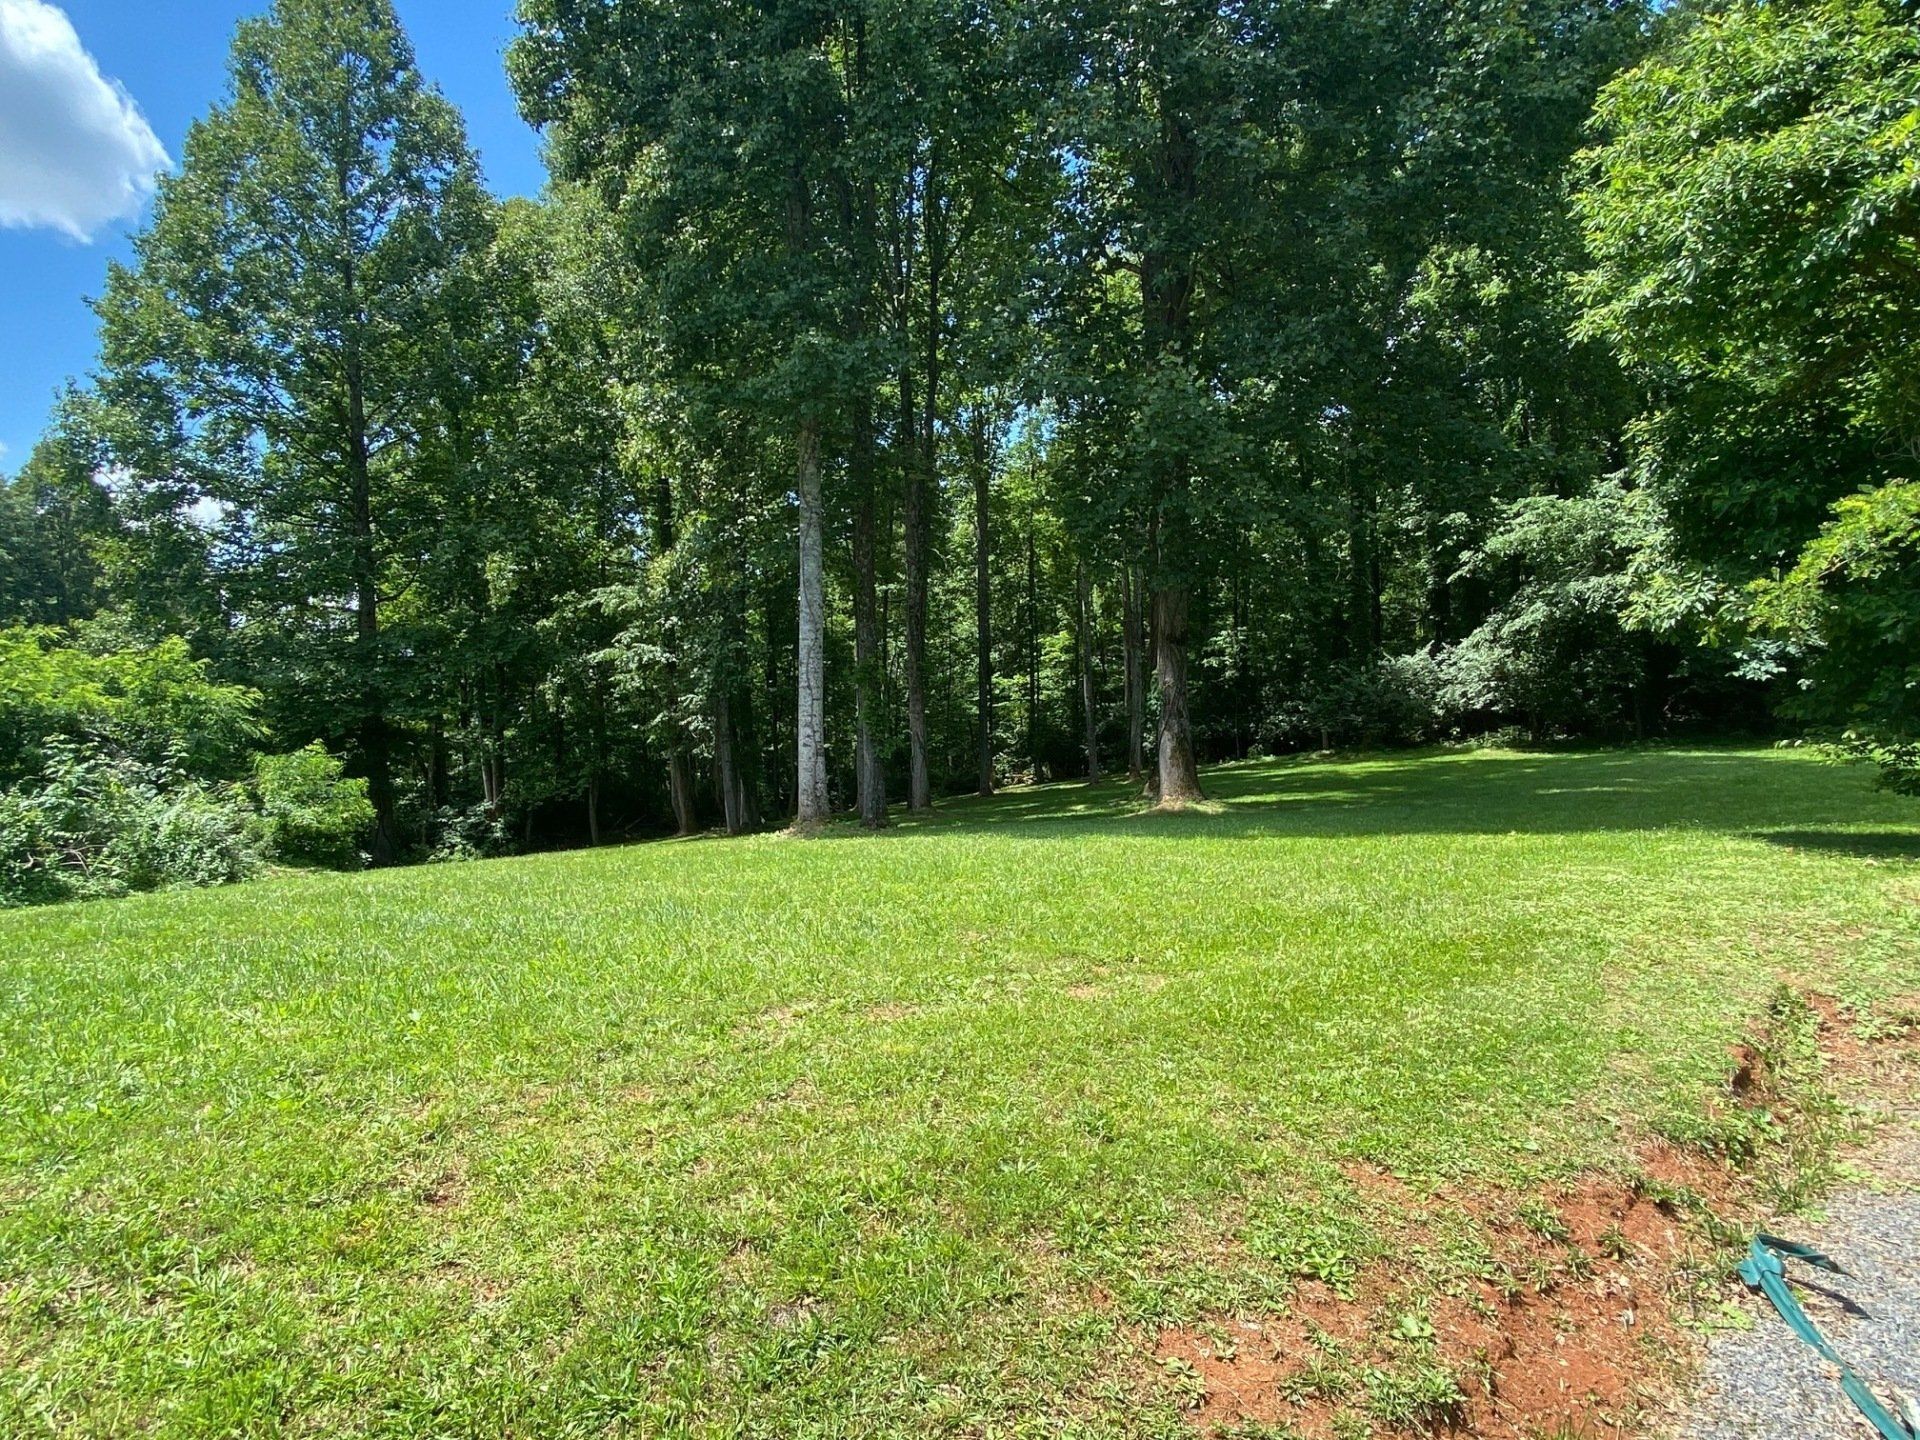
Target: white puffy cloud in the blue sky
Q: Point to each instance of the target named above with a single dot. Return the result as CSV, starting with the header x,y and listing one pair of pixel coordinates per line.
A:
x,y
74,149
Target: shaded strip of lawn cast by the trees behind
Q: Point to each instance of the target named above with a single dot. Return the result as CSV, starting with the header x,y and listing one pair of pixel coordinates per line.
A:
x,y
1758,794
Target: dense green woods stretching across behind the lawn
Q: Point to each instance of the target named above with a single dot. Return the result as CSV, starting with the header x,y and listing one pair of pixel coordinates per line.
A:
x,y
905,398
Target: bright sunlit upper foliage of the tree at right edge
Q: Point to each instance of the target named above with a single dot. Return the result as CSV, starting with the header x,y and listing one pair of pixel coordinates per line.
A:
x,y
1752,208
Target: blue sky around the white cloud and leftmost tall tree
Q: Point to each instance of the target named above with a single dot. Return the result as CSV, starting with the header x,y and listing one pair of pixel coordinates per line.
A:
x,y
172,60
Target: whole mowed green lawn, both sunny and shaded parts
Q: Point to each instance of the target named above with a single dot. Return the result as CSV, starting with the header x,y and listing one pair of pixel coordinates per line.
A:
x,y
919,1134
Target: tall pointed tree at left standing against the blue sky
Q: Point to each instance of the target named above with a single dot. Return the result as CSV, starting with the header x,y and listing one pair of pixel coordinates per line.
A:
x,y
287,299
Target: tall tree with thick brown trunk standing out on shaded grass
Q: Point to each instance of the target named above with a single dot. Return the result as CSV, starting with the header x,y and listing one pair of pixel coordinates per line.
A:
x,y
1172,124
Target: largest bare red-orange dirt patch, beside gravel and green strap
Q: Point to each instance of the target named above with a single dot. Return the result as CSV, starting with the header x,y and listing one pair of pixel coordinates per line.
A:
x,y
1558,1332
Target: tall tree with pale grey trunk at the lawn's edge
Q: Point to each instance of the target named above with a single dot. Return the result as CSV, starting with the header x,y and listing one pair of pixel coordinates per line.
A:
x,y
719,139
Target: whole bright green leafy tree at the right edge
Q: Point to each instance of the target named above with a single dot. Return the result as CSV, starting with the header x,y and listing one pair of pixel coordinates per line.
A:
x,y
1754,216
